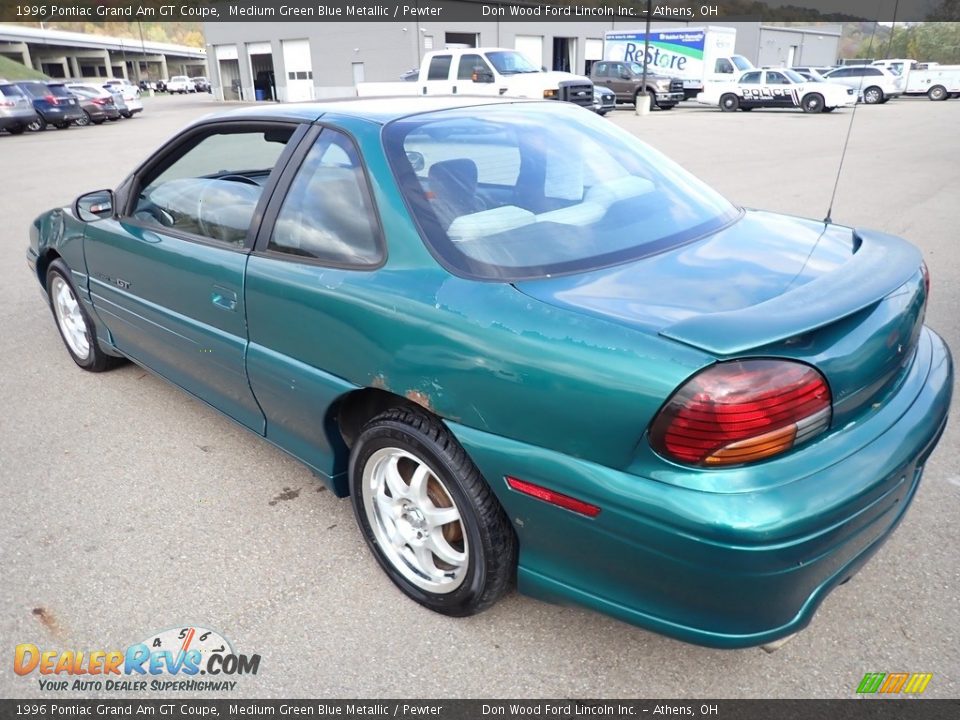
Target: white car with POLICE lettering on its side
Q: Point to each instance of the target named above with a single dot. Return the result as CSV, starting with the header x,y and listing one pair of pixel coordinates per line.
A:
x,y
779,88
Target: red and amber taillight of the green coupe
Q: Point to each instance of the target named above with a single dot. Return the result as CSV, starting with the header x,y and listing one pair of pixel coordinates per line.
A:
x,y
742,411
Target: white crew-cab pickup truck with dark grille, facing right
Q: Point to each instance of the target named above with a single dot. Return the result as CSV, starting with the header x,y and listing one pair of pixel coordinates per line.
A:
x,y
485,71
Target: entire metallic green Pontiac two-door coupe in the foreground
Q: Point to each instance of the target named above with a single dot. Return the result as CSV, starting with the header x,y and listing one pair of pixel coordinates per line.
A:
x,y
526,345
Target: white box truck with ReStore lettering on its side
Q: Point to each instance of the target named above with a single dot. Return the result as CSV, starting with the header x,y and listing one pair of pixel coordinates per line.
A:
x,y
696,55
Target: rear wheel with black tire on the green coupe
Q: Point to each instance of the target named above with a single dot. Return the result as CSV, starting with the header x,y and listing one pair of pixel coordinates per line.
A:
x,y
428,516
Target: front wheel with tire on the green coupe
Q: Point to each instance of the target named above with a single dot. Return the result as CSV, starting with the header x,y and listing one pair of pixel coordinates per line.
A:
x,y
76,329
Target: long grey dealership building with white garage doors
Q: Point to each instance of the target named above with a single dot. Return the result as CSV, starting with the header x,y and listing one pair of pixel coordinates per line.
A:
x,y
295,61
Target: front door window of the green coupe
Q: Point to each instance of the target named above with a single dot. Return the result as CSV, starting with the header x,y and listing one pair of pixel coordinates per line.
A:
x,y
210,187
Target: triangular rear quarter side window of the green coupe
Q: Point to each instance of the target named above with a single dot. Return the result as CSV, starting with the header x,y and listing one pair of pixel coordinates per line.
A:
x,y
327,214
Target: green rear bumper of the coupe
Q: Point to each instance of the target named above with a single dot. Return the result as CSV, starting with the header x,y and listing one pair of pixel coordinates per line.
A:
x,y
724,570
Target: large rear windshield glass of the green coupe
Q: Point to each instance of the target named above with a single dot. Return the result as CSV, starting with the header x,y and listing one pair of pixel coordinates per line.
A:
x,y
529,190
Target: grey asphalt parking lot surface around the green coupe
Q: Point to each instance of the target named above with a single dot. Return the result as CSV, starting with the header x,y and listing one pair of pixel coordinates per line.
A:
x,y
129,508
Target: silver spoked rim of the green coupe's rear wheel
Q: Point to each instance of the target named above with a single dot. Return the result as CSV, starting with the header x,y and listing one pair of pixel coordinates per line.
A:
x,y
423,540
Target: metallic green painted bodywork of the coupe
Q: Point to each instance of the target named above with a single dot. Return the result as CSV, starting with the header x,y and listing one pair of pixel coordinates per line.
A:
x,y
555,382
